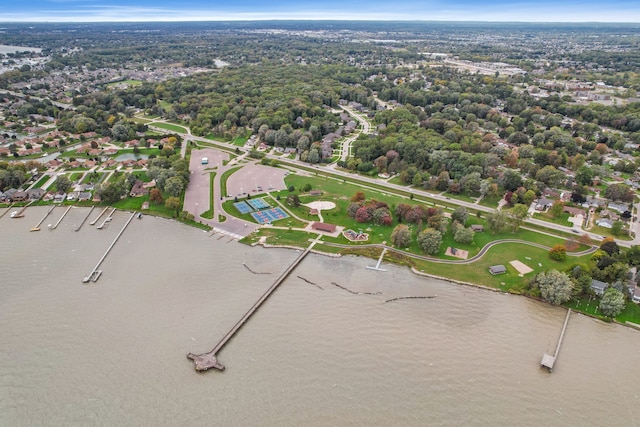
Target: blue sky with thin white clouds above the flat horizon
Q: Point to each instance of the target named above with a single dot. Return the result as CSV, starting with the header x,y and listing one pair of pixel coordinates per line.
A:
x,y
233,10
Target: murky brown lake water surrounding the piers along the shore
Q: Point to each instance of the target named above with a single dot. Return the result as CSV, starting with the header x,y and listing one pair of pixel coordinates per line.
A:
x,y
114,352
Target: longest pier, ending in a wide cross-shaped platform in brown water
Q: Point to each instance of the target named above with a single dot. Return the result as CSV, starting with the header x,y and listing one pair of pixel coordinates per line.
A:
x,y
206,361
